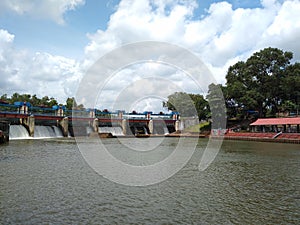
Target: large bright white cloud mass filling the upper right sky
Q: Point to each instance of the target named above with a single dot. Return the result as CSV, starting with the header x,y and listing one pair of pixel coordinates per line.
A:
x,y
220,38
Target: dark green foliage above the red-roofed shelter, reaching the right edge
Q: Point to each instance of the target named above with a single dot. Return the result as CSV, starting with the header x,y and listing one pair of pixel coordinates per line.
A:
x,y
263,83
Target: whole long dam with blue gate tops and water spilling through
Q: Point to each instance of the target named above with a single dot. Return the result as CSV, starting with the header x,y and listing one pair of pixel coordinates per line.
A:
x,y
26,121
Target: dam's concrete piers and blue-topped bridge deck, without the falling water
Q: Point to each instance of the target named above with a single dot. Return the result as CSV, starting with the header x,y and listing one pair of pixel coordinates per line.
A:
x,y
86,121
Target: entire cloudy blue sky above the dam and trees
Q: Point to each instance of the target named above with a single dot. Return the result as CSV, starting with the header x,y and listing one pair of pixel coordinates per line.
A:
x,y
48,47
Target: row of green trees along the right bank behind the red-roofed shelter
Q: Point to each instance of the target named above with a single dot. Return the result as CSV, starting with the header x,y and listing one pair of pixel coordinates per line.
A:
x,y
267,84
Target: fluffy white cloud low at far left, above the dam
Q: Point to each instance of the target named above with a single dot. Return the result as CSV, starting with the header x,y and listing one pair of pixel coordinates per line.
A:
x,y
39,73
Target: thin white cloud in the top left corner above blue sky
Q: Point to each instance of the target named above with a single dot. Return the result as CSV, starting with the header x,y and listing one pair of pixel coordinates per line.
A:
x,y
45,9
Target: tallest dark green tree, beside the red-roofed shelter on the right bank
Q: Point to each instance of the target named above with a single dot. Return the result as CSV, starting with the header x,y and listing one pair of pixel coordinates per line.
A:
x,y
257,84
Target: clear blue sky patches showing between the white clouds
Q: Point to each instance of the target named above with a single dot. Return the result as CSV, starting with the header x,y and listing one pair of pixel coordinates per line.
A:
x,y
70,38
